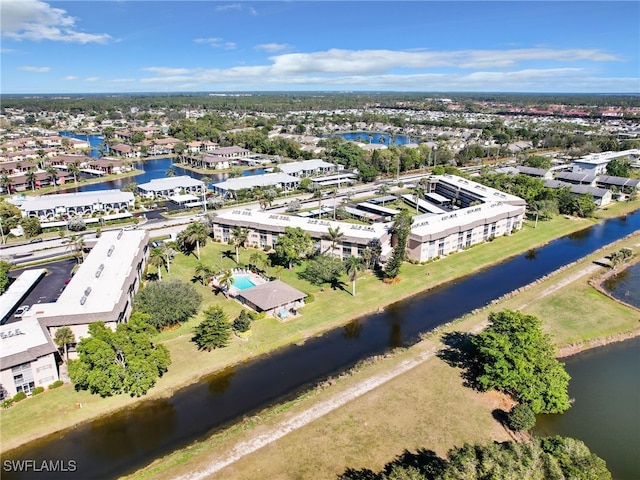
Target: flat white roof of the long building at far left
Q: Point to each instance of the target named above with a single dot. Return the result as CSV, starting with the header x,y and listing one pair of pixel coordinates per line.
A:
x,y
113,258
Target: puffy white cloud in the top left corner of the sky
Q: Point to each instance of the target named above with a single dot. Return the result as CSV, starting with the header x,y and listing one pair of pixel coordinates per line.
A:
x,y
37,20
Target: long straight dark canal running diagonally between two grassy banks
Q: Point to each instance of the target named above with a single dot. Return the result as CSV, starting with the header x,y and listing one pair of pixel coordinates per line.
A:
x,y
130,439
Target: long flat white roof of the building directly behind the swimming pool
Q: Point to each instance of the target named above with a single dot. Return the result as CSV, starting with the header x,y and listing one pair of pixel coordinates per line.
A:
x,y
315,227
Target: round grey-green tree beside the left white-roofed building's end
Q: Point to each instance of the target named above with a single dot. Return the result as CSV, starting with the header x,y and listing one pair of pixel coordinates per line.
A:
x,y
168,303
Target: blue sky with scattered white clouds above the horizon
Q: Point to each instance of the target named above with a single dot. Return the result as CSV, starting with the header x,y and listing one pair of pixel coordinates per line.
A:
x,y
219,46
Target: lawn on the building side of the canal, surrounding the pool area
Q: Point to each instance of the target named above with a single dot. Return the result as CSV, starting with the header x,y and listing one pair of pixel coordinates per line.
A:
x,y
64,408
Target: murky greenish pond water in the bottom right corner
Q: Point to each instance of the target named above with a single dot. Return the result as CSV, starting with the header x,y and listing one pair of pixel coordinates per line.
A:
x,y
605,383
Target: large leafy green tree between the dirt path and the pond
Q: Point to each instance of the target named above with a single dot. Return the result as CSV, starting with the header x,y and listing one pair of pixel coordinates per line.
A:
x,y
517,358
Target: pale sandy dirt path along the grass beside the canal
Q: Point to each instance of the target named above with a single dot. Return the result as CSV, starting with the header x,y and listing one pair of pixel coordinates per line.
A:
x,y
307,416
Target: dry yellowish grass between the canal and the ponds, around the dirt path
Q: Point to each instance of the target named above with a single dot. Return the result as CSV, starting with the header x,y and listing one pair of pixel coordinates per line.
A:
x,y
397,416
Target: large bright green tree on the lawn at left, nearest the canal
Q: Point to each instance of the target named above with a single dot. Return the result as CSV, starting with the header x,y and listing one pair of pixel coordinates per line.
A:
x,y
121,361
